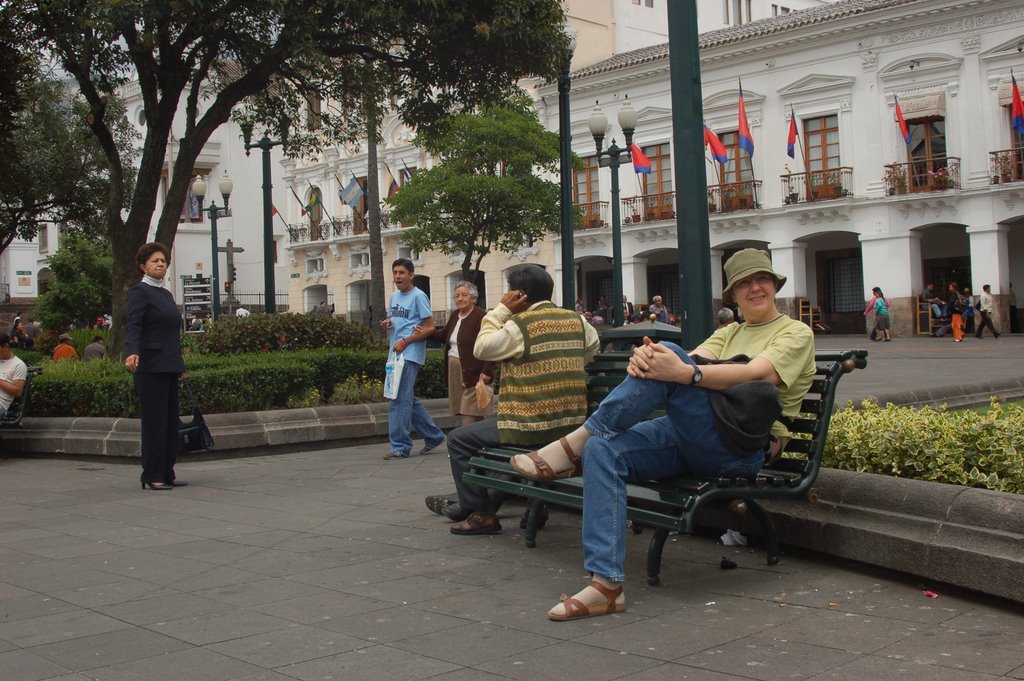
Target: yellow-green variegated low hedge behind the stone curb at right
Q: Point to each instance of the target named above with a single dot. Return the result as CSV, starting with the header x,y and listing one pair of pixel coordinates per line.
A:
x,y
966,448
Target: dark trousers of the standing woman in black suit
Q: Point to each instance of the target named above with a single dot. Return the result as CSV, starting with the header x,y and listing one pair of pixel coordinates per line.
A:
x,y
158,401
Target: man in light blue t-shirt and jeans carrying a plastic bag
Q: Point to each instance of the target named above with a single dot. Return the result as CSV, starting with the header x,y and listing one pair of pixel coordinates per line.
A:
x,y
408,310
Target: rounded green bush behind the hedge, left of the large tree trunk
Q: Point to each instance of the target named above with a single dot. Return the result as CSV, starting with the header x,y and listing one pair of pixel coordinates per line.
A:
x,y
81,288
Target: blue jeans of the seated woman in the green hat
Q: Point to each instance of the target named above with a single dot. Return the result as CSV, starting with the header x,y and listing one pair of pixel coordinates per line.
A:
x,y
625,449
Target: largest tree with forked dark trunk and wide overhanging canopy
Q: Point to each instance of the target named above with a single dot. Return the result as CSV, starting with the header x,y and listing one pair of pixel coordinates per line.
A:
x,y
205,60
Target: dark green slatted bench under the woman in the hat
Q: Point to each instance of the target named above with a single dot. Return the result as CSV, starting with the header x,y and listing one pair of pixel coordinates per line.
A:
x,y
672,505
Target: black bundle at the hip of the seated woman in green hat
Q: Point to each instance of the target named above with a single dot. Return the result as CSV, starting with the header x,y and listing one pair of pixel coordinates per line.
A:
x,y
745,413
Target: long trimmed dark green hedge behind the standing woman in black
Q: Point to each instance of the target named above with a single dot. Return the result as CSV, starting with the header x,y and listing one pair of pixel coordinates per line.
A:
x,y
244,382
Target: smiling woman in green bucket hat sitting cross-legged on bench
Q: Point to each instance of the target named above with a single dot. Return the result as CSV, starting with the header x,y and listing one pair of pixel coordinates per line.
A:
x,y
688,440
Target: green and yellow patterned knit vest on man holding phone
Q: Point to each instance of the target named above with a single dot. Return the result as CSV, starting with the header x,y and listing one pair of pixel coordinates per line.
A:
x,y
544,393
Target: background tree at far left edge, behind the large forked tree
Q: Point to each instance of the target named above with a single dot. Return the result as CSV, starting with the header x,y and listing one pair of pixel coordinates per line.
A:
x,y
56,171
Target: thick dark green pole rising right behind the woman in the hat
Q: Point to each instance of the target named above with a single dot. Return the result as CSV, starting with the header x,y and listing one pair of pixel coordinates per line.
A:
x,y
692,205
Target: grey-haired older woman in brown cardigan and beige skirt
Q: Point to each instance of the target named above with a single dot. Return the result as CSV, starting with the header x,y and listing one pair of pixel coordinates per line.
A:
x,y
472,395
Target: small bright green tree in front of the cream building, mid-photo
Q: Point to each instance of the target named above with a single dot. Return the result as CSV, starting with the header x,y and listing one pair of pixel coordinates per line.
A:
x,y
486,195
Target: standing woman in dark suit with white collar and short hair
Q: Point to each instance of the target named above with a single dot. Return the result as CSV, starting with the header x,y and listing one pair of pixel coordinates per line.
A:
x,y
153,354
